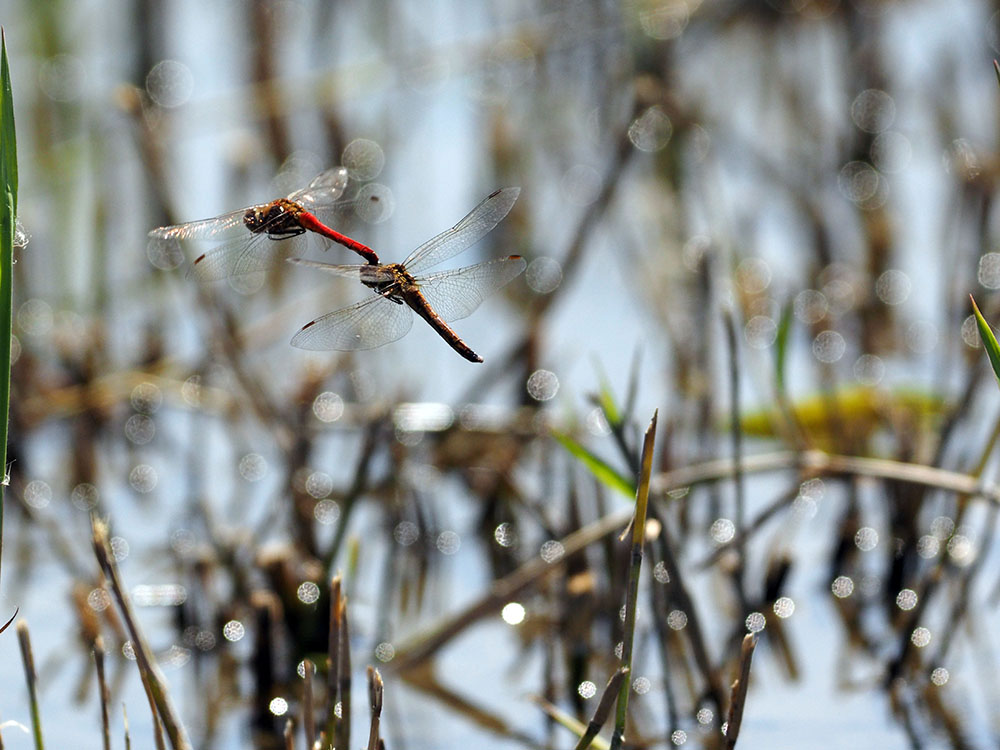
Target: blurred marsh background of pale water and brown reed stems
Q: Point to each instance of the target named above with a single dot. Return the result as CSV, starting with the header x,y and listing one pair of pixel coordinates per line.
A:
x,y
763,218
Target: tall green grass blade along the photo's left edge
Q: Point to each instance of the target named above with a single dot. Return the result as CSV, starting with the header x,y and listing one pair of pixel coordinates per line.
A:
x,y
8,214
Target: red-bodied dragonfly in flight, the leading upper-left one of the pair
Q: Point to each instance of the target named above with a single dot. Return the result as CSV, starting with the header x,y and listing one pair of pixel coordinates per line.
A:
x,y
245,231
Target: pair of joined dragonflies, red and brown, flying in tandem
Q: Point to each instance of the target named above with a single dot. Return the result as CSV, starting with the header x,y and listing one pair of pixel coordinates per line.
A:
x,y
399,288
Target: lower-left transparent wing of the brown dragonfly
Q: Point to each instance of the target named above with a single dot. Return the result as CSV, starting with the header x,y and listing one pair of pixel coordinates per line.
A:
x,y
368,324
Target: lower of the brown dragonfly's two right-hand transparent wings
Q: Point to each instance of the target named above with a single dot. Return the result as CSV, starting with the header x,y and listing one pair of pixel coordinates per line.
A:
x,y
456,294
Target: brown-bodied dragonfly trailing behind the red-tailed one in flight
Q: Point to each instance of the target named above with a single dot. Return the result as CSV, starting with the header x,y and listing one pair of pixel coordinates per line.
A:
x,y
401,289
